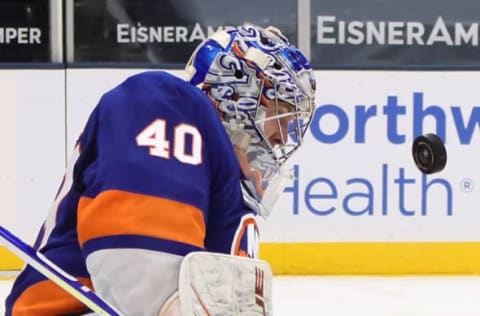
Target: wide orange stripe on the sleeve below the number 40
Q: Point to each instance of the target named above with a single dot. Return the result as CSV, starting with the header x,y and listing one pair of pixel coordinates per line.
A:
x,y
124,213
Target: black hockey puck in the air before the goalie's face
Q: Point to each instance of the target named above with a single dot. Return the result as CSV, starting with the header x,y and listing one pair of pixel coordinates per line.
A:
x,y
429,153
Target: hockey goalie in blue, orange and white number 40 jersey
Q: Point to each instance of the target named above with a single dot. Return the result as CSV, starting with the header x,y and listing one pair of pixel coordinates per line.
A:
x,y
157,209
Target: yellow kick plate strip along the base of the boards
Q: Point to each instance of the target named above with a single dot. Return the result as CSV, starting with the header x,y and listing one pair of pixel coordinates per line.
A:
x,y
355,258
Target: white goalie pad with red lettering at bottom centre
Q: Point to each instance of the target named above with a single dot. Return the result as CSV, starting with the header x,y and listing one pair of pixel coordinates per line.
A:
x,y
219,284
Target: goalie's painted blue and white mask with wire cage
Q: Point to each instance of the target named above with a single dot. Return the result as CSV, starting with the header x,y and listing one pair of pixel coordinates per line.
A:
x,y
263,88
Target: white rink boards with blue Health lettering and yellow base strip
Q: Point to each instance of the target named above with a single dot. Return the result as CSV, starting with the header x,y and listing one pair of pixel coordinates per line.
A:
x,y
357,205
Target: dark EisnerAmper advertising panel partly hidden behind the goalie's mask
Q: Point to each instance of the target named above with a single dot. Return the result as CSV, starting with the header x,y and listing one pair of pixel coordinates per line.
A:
x,y
165,32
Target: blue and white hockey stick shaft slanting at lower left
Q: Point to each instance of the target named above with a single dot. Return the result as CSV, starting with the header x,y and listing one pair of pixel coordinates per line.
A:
x,y
54,273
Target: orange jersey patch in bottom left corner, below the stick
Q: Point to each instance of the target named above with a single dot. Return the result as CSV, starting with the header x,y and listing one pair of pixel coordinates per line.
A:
x,y
45,298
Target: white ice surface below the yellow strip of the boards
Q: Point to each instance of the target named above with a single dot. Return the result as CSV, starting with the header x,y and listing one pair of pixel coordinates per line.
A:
x,y
362,296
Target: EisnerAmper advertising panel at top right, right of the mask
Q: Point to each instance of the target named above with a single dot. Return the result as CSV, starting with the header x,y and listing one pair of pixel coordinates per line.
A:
x,y
389,34
